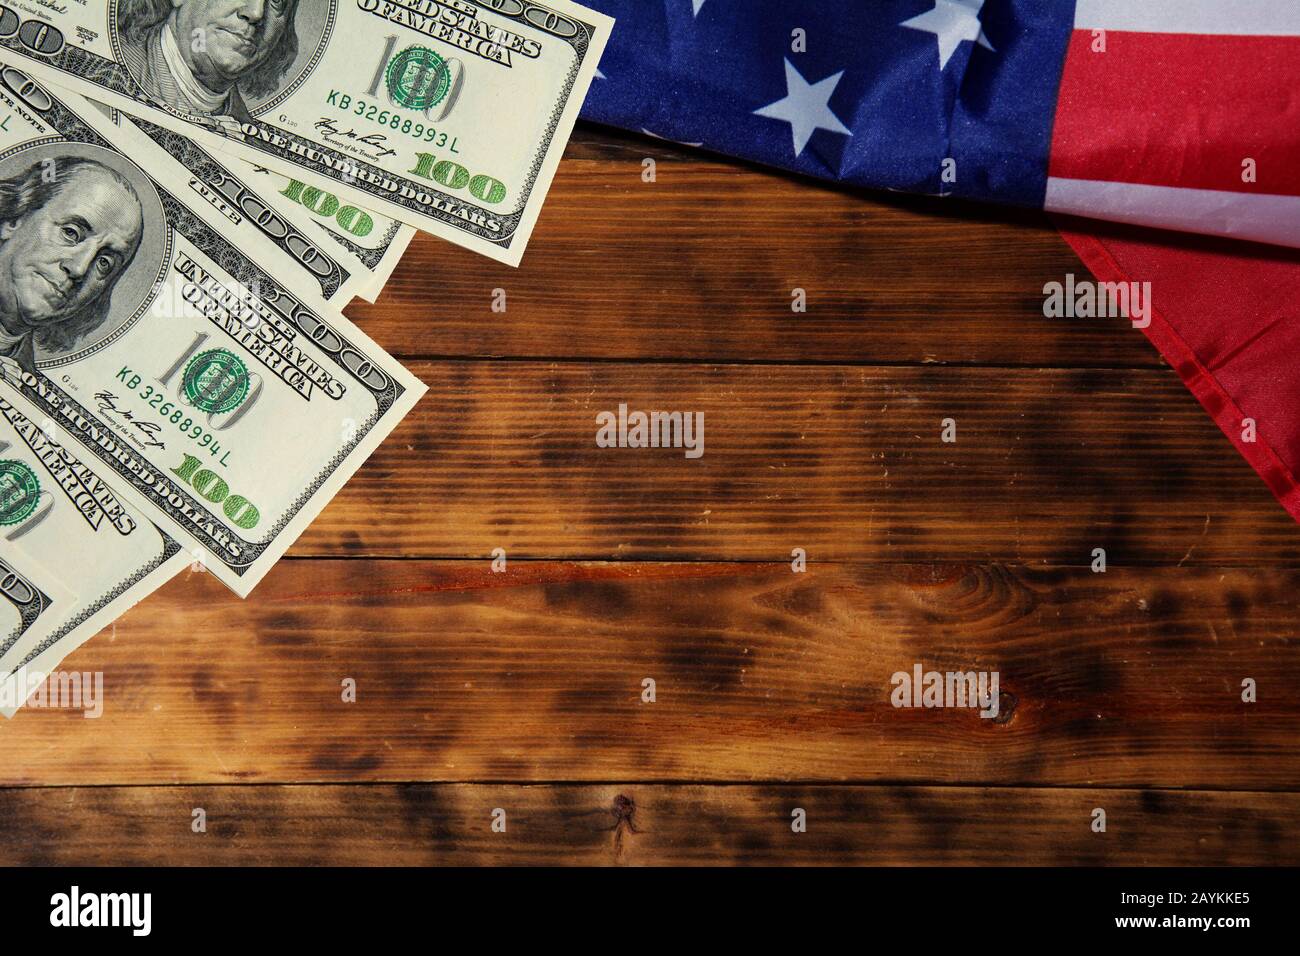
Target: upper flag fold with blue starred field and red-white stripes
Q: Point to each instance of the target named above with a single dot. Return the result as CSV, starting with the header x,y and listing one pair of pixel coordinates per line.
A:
x,y
1176,114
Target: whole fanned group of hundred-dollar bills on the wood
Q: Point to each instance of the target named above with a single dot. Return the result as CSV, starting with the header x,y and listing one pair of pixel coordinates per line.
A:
x,y
190,192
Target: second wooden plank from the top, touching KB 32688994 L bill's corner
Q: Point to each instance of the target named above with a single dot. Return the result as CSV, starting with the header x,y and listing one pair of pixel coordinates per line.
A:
x,y
843,462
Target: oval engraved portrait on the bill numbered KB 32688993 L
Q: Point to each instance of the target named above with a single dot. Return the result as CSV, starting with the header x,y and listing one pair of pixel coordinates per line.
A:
x,y
205,57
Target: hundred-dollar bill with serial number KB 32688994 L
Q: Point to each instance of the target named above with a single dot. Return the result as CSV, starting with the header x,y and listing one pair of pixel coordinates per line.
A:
x,y
222,404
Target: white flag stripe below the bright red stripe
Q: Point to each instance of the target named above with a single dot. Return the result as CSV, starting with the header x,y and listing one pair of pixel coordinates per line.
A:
x,y
1241,215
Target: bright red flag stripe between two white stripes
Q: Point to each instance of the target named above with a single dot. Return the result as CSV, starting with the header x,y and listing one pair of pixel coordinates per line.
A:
x,y
1176,110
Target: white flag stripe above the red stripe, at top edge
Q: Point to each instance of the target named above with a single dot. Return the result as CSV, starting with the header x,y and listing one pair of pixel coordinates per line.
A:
x,y
1229,18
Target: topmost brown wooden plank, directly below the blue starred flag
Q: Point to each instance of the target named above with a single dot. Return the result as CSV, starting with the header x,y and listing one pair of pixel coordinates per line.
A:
x,y
703,263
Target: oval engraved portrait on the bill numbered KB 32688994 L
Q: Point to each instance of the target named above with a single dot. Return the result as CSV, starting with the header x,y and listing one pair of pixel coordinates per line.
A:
x,y
70,228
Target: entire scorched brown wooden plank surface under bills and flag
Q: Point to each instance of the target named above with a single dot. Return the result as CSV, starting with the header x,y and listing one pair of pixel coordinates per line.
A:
x,y
523,690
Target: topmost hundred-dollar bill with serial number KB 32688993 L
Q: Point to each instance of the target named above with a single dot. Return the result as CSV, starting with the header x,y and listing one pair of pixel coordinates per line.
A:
x,y
448,115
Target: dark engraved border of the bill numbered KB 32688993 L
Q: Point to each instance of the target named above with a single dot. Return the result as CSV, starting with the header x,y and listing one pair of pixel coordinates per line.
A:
x,y
114,76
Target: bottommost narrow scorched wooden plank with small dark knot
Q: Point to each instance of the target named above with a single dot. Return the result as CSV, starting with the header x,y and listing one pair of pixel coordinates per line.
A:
x,y
645,825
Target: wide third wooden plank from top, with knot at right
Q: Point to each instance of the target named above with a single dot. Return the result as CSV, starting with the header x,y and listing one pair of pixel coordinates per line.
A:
x,y
1130,678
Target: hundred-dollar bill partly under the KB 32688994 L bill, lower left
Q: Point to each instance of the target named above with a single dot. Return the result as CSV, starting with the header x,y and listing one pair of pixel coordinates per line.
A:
x,y
62,509
